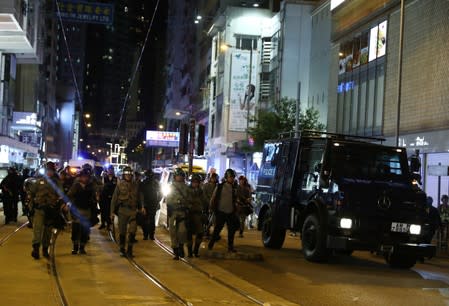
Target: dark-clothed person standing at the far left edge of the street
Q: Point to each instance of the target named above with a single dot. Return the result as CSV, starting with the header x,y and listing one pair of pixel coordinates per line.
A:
x,y
10,186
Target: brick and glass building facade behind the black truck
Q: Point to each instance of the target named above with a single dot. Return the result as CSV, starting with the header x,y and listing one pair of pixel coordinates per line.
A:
x,y
366,95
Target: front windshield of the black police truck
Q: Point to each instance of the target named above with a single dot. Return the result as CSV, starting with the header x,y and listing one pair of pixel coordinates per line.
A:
x,y
368,162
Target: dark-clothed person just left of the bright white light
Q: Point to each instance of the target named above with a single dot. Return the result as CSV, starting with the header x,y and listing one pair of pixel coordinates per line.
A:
x,y
149,195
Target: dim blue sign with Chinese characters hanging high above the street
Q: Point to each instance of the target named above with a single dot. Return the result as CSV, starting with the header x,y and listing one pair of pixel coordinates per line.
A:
x,y
86,12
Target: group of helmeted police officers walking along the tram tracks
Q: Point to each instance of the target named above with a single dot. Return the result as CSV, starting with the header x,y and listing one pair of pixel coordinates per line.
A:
x,y
55,198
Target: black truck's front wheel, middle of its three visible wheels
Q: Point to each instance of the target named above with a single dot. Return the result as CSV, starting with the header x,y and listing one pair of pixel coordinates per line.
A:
x,y
314,240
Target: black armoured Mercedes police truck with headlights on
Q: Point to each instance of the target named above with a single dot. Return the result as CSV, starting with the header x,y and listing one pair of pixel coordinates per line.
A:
x,y
342,193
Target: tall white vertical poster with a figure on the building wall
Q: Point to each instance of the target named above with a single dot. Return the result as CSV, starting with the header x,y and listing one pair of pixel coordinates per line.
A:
x,y
243,95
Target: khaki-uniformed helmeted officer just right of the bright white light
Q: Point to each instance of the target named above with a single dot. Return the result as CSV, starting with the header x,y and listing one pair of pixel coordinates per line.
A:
x,y
177,211
